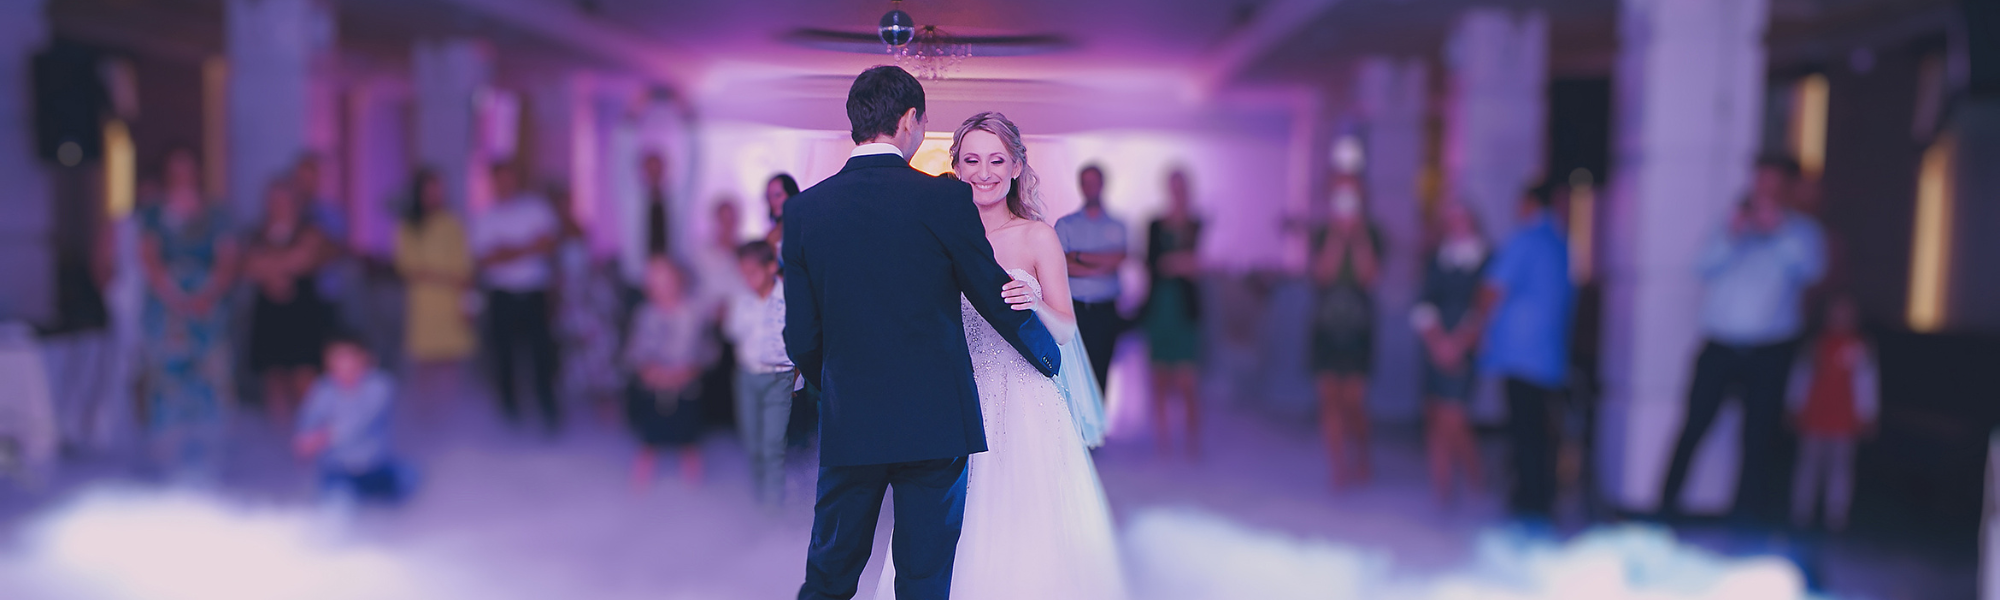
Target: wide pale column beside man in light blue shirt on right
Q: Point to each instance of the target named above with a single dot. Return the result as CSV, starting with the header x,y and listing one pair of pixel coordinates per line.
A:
x,y
1689,85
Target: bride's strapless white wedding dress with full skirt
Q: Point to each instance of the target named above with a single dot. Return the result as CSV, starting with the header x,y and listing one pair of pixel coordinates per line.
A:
x,y
1035,525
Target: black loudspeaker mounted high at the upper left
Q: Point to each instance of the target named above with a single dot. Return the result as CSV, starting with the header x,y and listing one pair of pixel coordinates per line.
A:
x,y
69,103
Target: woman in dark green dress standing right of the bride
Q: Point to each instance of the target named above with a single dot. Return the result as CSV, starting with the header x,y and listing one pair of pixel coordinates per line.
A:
x,y
1173,313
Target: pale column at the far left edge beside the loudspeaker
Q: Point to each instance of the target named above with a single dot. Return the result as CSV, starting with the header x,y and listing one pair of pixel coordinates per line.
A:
x,y
27,261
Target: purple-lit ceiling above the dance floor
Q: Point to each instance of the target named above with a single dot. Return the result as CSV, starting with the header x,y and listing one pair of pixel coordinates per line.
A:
x,y
1207,47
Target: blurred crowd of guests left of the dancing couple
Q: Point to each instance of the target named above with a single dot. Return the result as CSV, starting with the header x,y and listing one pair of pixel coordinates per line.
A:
x,y
187,317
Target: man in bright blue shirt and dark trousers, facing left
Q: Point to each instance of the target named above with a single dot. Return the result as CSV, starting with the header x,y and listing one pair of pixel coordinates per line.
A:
x,y
1525,317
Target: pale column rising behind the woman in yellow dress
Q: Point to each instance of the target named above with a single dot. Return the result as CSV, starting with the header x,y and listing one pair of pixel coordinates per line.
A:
x,y
449,75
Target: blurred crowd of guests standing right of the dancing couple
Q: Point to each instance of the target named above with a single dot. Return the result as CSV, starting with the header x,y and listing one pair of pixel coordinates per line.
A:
x,y
1509,315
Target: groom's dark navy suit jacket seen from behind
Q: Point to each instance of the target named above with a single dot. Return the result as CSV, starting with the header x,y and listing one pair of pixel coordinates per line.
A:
x,y
875,261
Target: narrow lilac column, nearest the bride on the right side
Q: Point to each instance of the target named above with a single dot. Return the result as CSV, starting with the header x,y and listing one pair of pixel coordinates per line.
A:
x,y
1391,95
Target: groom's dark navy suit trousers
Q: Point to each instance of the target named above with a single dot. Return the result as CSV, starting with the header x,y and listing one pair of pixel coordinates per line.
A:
x,y
931,507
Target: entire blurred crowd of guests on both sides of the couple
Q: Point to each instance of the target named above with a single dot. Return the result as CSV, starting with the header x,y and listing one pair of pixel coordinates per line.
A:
x,y
189,313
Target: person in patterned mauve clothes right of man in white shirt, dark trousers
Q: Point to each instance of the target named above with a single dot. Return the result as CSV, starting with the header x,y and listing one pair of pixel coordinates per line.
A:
x,y
587,311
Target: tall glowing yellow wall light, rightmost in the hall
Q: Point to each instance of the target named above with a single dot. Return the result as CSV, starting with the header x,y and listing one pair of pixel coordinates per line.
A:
x,y
1931,255
